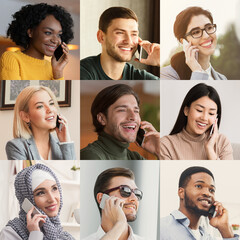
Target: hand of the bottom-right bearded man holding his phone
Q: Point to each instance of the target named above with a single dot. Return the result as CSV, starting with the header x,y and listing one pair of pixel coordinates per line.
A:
x,y
221,221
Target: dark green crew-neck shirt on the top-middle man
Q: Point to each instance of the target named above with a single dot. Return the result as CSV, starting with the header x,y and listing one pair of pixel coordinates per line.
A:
x,y
91,69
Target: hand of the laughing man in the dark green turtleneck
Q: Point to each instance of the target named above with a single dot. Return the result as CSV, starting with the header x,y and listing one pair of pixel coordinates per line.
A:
x,y
152,139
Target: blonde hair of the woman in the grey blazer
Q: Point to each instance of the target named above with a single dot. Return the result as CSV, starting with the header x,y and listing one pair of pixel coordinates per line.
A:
x,y
20,127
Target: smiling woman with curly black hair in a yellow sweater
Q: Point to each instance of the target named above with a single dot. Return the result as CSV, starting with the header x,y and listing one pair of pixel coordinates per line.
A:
x,y
39,29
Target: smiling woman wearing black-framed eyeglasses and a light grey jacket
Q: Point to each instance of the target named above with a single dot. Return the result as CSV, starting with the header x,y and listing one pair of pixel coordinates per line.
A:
x,y
195,29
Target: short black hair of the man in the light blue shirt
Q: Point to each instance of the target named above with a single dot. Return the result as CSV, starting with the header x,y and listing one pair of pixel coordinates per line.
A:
x,y
186,175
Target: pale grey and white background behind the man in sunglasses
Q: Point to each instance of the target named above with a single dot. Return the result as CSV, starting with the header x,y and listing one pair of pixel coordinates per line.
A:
x,y
147,179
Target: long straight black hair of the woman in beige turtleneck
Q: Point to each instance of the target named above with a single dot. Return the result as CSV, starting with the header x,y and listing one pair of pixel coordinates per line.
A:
x,y
196,92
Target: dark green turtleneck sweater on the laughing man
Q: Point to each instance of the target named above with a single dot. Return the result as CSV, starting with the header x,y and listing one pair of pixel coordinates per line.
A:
x,y
108,148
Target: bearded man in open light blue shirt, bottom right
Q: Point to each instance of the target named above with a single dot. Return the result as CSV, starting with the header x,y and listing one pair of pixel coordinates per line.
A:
x,y
197,198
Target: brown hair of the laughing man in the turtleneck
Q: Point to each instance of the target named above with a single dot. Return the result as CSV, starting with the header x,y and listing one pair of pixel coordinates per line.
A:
x,y
106,98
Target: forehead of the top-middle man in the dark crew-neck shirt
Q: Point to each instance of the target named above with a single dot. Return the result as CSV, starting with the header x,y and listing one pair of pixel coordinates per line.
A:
x,y
124,24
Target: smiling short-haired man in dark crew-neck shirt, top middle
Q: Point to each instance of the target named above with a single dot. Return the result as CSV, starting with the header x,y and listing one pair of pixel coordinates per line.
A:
x,y
118,35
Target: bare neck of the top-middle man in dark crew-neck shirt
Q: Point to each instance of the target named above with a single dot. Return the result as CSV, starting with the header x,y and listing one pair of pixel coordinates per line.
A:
x,y
111,67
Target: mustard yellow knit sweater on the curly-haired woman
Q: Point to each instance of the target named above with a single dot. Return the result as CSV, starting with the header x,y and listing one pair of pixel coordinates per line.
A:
x,y
19,66
